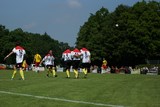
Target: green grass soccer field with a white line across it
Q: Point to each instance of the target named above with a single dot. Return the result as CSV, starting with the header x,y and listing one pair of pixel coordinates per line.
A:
x,y
98,90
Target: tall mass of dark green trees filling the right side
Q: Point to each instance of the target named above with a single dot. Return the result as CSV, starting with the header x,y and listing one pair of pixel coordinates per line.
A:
x,y
135,39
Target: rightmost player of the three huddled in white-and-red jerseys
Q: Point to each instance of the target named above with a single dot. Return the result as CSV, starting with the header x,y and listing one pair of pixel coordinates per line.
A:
x,y
86,60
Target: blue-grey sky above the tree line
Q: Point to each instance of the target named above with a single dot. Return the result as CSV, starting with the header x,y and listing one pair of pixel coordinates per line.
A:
x,y
60,19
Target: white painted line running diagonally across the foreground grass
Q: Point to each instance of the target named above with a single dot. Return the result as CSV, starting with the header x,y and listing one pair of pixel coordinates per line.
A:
x,y
59,99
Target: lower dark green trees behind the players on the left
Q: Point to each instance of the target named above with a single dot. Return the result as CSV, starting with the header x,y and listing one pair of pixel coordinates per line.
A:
x,y
33,43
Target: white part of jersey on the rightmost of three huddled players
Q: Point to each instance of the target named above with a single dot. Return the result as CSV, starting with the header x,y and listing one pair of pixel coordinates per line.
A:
x,y
85,56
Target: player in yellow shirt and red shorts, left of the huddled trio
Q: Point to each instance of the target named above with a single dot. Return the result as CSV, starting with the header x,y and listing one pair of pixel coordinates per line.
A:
x,y
37,59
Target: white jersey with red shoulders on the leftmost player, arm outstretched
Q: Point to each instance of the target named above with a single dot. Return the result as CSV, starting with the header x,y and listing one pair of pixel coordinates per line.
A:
x,y
19,51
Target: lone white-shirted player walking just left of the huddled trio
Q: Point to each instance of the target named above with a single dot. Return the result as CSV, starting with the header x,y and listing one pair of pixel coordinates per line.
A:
x,y
49,63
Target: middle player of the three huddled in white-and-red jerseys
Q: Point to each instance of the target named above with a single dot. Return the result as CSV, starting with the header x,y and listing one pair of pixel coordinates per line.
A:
x,y
76,54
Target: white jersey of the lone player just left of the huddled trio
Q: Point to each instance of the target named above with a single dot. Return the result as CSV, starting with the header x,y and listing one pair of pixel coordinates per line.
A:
x,y
48,59
